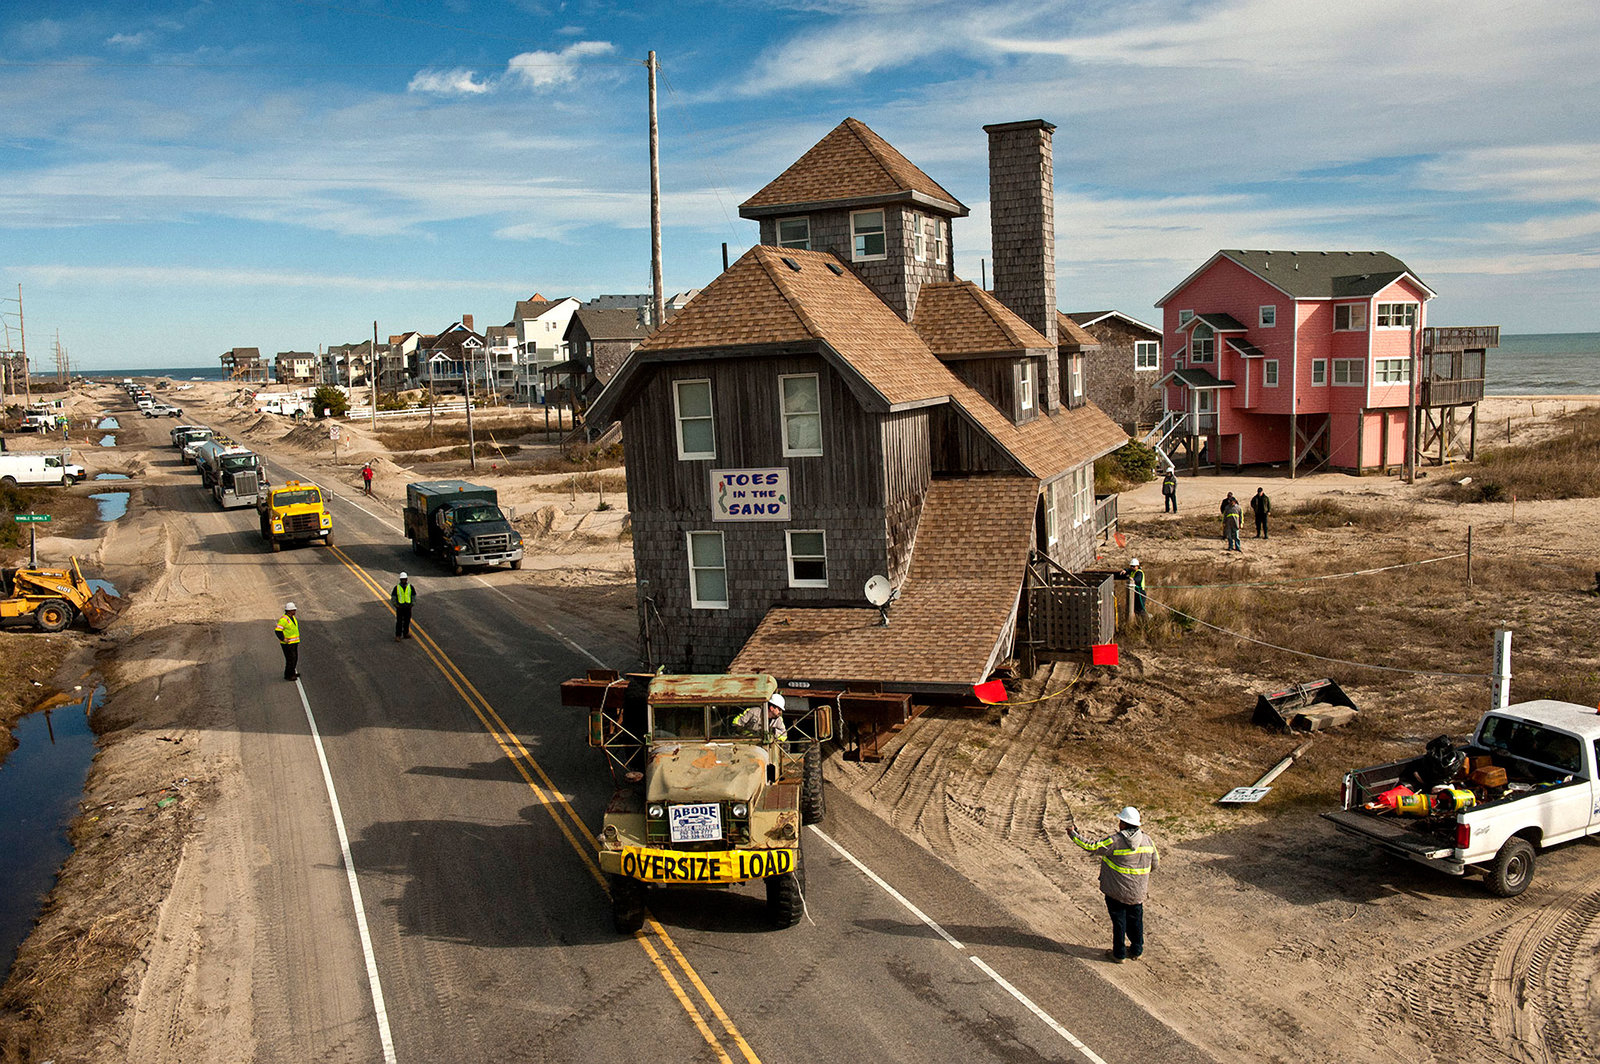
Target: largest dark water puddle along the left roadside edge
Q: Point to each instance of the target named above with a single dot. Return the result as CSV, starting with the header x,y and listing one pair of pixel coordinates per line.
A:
x,y
41,785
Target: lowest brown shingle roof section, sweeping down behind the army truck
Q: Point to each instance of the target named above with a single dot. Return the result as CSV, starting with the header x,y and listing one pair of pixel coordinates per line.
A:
x,y
954,614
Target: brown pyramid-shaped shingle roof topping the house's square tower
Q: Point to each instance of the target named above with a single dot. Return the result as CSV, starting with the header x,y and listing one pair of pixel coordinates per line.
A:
x,y
850,164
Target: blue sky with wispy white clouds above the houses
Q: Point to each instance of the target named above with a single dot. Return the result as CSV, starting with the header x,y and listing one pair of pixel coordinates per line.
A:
x,y
183,178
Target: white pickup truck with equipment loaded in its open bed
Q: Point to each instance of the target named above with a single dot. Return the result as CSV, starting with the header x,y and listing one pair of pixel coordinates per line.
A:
x,y
1551,794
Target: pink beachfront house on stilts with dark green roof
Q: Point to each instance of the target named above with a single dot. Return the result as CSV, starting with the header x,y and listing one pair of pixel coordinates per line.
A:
x,y
1300,358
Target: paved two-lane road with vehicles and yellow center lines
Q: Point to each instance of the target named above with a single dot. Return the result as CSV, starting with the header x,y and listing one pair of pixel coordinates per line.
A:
x,y
468,793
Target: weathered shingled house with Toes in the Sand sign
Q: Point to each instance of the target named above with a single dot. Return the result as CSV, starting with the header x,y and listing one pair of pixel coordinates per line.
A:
x,y
836,407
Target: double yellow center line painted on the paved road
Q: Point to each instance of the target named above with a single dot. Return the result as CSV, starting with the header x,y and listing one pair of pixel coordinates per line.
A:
x,y
556,804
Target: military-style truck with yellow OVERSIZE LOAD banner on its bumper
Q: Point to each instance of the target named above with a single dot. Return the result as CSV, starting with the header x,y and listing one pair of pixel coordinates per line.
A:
x,y
710,791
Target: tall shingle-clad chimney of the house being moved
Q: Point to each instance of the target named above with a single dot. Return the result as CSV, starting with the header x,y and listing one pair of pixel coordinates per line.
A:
x,y
1023,231
